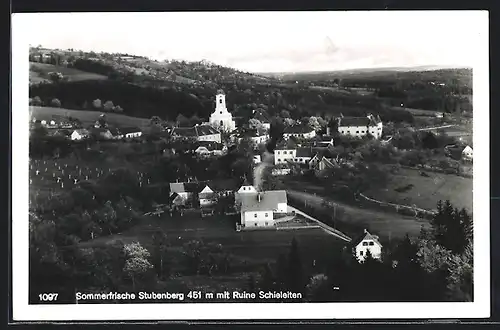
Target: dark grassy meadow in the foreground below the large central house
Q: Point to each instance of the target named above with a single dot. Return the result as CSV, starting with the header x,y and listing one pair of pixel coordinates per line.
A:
x,y
249,247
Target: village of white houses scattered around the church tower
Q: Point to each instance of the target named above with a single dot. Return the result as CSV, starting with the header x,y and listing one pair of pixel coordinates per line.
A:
x,y
303,148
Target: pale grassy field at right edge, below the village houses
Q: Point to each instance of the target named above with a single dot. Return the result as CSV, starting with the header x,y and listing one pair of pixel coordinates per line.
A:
x,y
426,191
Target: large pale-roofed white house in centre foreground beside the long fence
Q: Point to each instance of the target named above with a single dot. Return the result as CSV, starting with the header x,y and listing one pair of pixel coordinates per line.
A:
x,y
258,209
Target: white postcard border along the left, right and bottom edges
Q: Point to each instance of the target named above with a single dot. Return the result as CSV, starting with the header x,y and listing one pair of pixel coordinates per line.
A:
x,y
22,311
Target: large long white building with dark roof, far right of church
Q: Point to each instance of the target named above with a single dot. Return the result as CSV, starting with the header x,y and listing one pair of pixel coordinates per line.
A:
x,y
360,126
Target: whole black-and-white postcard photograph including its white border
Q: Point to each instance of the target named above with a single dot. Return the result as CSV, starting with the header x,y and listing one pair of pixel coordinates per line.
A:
x,y
250,165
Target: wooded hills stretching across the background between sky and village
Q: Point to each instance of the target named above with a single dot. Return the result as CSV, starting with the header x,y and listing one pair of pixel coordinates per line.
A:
x,y
145,88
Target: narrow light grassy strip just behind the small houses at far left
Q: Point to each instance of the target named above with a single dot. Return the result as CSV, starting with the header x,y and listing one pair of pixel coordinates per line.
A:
x,y
87,116
